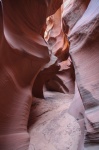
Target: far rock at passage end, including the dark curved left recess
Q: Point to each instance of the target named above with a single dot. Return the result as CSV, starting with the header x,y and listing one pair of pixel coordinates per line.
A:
x,y
58,75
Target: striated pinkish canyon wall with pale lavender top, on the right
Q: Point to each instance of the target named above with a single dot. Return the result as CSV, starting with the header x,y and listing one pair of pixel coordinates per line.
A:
x,y
84,39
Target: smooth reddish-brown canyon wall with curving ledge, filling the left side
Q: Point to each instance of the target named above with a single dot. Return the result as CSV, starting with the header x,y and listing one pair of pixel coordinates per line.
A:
x,y
23,53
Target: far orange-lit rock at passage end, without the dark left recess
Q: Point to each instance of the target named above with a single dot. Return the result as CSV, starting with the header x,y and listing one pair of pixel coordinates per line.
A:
x,y
63,80
